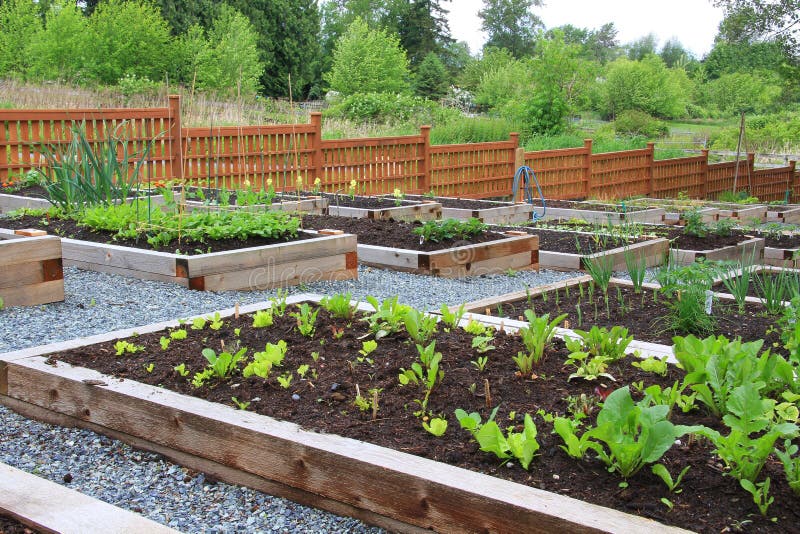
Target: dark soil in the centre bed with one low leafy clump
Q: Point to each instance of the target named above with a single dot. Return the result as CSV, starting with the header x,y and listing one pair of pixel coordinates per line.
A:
x,y
389,233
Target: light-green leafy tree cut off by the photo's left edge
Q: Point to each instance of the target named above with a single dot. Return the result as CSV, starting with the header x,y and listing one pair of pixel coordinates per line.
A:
x,y
19,22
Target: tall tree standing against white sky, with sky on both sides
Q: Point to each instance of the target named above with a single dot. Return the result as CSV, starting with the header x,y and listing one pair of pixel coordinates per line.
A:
x,y
510,24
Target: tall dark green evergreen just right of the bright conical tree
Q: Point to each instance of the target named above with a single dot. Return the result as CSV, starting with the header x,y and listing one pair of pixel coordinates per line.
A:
x,y
288,42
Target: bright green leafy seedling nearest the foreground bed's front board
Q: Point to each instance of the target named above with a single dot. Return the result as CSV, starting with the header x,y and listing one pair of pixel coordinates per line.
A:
x,y
520,445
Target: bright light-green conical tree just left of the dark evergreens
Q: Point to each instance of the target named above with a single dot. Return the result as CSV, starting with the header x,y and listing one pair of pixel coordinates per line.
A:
x,y
229,62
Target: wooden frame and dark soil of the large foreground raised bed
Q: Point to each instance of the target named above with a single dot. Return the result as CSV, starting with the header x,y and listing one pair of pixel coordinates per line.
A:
x,y
389,487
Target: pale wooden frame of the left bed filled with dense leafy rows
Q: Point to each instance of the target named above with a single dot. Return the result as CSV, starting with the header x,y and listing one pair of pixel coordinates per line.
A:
x,y
332,257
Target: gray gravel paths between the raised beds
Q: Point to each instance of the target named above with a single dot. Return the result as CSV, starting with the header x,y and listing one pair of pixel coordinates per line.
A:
x,y
146,483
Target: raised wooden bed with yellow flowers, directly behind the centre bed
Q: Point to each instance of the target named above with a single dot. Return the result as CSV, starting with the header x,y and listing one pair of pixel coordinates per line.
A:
x,y
381,208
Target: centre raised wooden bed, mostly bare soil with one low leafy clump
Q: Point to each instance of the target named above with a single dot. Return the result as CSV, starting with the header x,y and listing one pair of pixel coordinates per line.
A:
x,y
488,253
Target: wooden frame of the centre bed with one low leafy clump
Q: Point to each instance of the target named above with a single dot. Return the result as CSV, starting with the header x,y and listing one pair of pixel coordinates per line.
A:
x,y
517,251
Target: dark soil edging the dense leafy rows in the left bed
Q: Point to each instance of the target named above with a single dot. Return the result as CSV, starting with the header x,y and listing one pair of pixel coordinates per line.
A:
x,y
70,229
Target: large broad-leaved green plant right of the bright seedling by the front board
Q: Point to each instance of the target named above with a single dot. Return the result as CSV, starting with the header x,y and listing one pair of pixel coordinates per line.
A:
x,y
627,436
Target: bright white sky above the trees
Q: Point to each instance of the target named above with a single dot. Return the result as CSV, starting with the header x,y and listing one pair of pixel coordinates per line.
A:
x,y
693,22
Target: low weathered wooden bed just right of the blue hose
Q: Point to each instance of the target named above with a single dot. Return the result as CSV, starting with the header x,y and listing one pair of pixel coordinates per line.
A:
x,y
602,213
